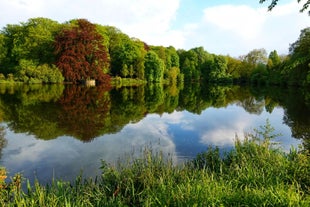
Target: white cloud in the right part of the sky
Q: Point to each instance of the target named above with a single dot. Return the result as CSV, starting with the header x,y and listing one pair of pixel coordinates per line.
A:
x,y
237,29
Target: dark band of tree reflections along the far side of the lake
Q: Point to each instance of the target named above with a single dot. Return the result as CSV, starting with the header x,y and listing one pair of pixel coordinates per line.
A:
x,y
50,111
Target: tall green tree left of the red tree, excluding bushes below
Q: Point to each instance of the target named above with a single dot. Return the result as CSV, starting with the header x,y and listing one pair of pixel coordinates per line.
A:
x,y
32,40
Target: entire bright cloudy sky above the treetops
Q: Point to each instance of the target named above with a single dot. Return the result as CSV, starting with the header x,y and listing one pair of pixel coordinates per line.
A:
x,y
220,26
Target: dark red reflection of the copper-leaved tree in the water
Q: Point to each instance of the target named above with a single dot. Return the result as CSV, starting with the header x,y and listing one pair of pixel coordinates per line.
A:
x,y
85,111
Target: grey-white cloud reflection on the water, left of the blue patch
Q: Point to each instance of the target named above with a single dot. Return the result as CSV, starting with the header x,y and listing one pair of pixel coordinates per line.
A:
x,y
67,156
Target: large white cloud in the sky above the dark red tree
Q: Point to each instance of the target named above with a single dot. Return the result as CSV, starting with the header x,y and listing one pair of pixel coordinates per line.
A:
x,y
149,20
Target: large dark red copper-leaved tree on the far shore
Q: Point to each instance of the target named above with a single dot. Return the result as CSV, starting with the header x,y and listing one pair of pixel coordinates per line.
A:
x,y
81,54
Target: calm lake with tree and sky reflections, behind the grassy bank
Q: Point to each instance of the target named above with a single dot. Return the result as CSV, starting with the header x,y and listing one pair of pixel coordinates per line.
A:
x,y
61,131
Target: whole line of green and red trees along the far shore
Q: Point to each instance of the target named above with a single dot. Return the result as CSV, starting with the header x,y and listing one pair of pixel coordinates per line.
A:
x,y
42,50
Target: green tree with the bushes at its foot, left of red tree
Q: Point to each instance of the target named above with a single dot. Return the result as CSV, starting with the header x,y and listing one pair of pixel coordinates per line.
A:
x,y
29,51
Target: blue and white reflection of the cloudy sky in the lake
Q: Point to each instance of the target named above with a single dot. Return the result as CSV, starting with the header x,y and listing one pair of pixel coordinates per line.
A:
x,y
180,134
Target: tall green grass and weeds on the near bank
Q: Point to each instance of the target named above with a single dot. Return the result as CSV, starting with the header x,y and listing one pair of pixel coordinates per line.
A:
x,y
255,173
